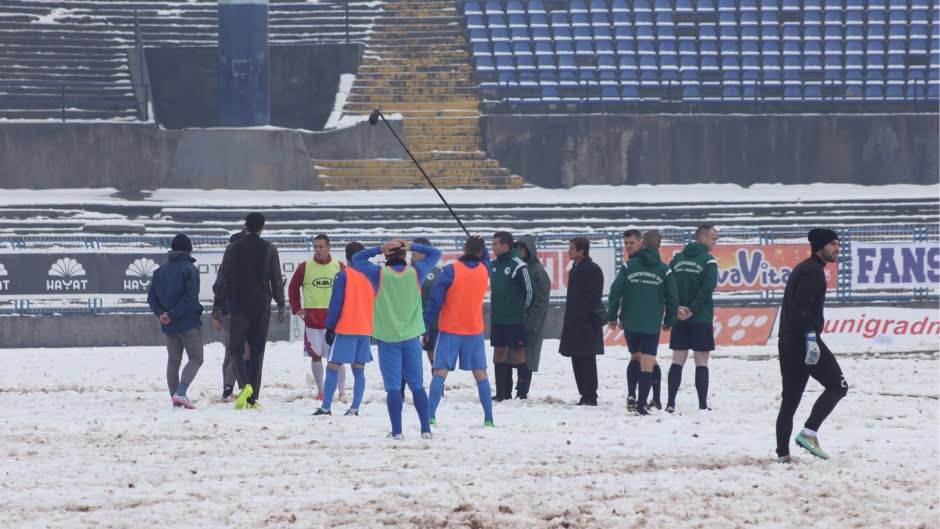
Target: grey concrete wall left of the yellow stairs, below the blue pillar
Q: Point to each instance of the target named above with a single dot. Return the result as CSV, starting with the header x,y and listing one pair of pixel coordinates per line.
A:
x,y
140,156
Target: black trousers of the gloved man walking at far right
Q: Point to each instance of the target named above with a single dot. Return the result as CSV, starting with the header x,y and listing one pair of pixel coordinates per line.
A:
x,y
795,374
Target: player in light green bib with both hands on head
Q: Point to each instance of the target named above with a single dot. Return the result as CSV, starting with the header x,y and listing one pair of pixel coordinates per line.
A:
x,y
398,323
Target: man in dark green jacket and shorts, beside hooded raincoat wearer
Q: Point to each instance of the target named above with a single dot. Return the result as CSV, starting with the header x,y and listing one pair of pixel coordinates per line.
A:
x,y
510,296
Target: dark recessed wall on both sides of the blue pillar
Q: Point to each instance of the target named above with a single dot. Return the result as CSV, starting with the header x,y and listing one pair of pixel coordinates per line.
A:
x,y
303,84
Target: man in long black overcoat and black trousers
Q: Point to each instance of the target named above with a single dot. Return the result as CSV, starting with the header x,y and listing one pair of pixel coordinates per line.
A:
x,y
582,336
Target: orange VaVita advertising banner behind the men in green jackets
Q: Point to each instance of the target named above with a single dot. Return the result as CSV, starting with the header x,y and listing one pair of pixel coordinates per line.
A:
x,y
744,267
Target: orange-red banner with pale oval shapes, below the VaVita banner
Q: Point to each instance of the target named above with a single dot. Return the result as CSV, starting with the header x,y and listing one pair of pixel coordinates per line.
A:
x,y
733,326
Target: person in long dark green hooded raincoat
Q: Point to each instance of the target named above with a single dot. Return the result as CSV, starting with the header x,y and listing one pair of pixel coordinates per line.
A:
x,y
535,315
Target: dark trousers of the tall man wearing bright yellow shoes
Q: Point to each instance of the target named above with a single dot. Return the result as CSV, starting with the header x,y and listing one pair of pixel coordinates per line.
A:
x,y
253,329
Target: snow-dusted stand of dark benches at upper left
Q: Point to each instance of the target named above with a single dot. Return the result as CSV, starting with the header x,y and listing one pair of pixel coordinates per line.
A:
x,y
74,54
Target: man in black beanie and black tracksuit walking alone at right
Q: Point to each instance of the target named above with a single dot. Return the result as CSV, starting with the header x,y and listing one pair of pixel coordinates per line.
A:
x,y
802,352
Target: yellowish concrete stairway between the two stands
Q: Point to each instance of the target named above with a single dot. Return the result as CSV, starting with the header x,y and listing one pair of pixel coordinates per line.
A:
x,y
417,65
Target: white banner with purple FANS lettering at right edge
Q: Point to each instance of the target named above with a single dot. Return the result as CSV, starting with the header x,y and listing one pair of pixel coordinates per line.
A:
x,y
881,266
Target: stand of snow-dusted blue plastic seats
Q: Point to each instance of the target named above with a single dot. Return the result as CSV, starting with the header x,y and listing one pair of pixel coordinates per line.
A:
x,y
706,50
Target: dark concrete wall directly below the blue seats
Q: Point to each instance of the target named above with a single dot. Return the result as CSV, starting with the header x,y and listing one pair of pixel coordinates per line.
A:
x,y
564,150
